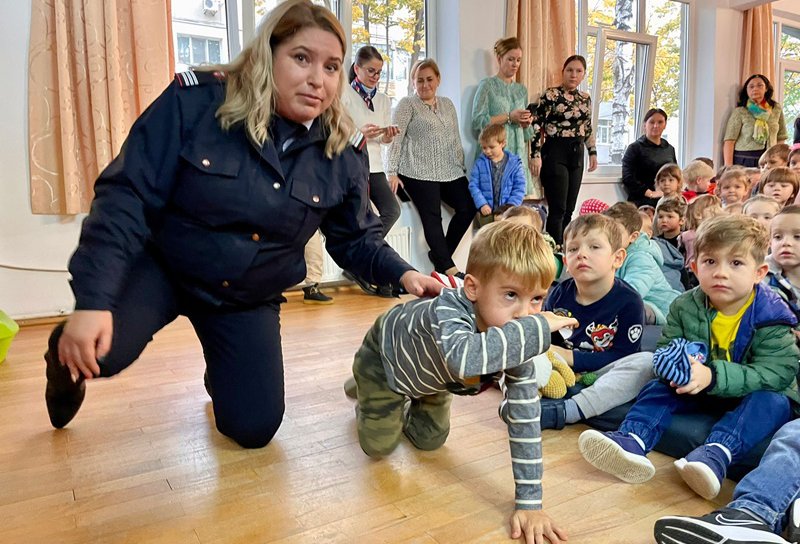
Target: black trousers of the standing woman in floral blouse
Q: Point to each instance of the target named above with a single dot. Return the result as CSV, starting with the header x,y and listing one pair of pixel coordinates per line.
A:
x,y
561,175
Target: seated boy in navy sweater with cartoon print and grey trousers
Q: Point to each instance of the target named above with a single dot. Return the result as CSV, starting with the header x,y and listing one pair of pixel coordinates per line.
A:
x,y
610,316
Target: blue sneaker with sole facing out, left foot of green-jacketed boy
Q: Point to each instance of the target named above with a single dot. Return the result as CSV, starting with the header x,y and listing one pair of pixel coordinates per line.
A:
x,y
618,454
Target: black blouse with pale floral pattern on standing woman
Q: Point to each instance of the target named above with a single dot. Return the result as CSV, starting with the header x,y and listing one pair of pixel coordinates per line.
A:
x,y
563,114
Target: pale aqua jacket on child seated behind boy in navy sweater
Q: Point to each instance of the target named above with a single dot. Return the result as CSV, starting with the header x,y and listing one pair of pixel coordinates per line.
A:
x,y
642,271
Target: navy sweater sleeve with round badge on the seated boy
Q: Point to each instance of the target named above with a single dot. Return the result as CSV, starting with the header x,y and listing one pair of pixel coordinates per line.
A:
x,y
627,340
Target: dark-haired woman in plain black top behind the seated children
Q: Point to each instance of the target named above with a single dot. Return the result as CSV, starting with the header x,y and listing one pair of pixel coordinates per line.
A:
x,y
644,157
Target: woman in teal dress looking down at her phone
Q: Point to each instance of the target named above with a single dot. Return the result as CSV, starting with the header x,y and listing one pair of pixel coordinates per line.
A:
x,y
500,100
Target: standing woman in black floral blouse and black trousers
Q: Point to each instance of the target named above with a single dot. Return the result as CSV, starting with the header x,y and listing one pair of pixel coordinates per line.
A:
x,y
562,127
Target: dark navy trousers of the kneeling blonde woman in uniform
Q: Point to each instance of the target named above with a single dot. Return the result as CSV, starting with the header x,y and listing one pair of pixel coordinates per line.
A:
x,y
242,350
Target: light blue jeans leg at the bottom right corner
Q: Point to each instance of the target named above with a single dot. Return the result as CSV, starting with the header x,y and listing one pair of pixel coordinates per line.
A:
x,y
773,486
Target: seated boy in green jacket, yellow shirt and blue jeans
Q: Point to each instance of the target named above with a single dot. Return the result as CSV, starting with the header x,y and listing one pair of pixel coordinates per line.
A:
x,y
728,349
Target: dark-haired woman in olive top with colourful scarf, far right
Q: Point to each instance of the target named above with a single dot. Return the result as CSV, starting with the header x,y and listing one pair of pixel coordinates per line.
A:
x,y
756,124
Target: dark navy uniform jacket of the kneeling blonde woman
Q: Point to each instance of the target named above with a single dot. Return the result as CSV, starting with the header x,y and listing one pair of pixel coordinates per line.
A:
x,y
228,219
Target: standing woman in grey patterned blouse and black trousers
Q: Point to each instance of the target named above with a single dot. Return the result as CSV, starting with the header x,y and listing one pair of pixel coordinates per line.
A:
x,y
427,160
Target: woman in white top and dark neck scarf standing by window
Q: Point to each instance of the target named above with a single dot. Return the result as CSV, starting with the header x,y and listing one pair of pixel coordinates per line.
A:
x,y
370,109
